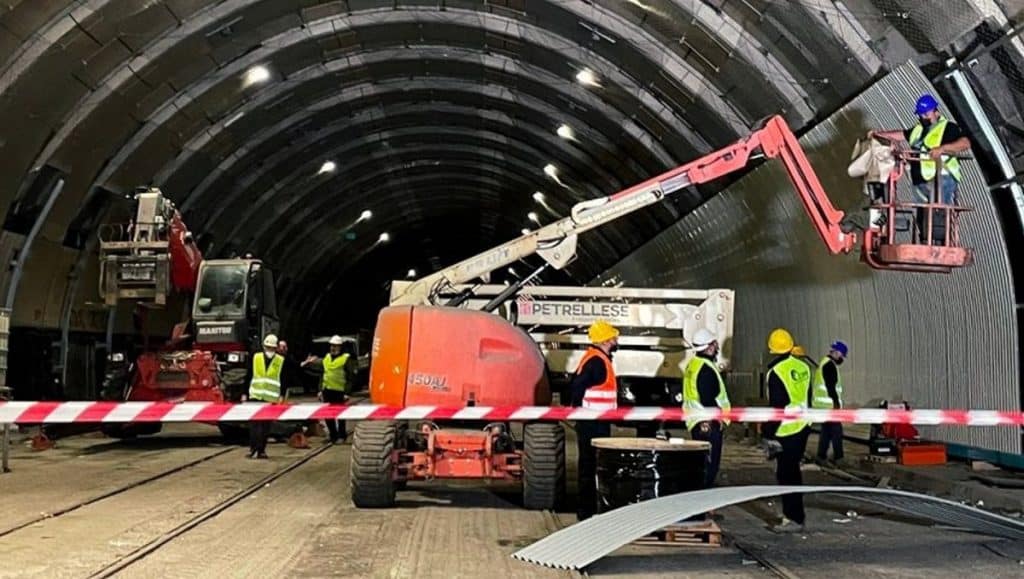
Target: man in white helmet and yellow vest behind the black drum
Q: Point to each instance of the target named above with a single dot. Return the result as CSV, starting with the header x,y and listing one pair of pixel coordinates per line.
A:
x,y
704,388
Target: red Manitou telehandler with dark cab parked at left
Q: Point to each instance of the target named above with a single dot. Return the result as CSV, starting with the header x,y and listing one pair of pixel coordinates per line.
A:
x,y
231,307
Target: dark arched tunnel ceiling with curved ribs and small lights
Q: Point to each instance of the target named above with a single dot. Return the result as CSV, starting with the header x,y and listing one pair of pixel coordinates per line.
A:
x,y
441,116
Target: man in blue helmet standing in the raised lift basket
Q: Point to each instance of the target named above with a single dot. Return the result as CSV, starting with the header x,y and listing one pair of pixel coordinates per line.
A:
x,y
937,140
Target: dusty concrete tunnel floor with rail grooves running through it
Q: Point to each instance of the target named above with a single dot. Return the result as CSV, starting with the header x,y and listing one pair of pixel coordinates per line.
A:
x,y
304,524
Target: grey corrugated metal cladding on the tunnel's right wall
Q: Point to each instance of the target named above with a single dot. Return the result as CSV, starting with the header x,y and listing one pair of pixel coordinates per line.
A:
x,y
940,342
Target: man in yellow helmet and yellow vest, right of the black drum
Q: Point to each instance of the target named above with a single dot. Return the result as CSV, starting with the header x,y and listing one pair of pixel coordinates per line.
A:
x,y
789,386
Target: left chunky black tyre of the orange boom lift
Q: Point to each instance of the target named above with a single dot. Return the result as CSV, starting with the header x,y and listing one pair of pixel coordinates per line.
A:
x,y
370,477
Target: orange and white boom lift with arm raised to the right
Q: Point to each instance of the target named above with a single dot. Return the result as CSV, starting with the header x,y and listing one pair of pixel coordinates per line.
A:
x,y
425,353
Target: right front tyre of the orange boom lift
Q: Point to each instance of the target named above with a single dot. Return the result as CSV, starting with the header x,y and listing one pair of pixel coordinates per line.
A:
x,y
544,467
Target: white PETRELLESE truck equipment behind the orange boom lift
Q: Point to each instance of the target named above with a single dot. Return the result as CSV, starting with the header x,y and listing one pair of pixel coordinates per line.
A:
x,y
656,325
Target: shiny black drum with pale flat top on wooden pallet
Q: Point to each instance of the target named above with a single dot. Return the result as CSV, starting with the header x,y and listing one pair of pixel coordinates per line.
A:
x,y
631,471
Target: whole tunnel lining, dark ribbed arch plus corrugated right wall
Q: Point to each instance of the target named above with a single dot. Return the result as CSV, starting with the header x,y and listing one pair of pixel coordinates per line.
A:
x,y
277,127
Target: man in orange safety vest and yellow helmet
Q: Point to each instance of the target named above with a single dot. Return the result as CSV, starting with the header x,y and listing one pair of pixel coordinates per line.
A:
x,y
596,388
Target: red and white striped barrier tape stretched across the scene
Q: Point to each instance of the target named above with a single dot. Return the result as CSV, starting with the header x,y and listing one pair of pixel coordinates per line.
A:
x,y
67,412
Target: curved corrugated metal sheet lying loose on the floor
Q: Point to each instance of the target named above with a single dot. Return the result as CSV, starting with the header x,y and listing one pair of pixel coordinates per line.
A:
x,y
577,547
